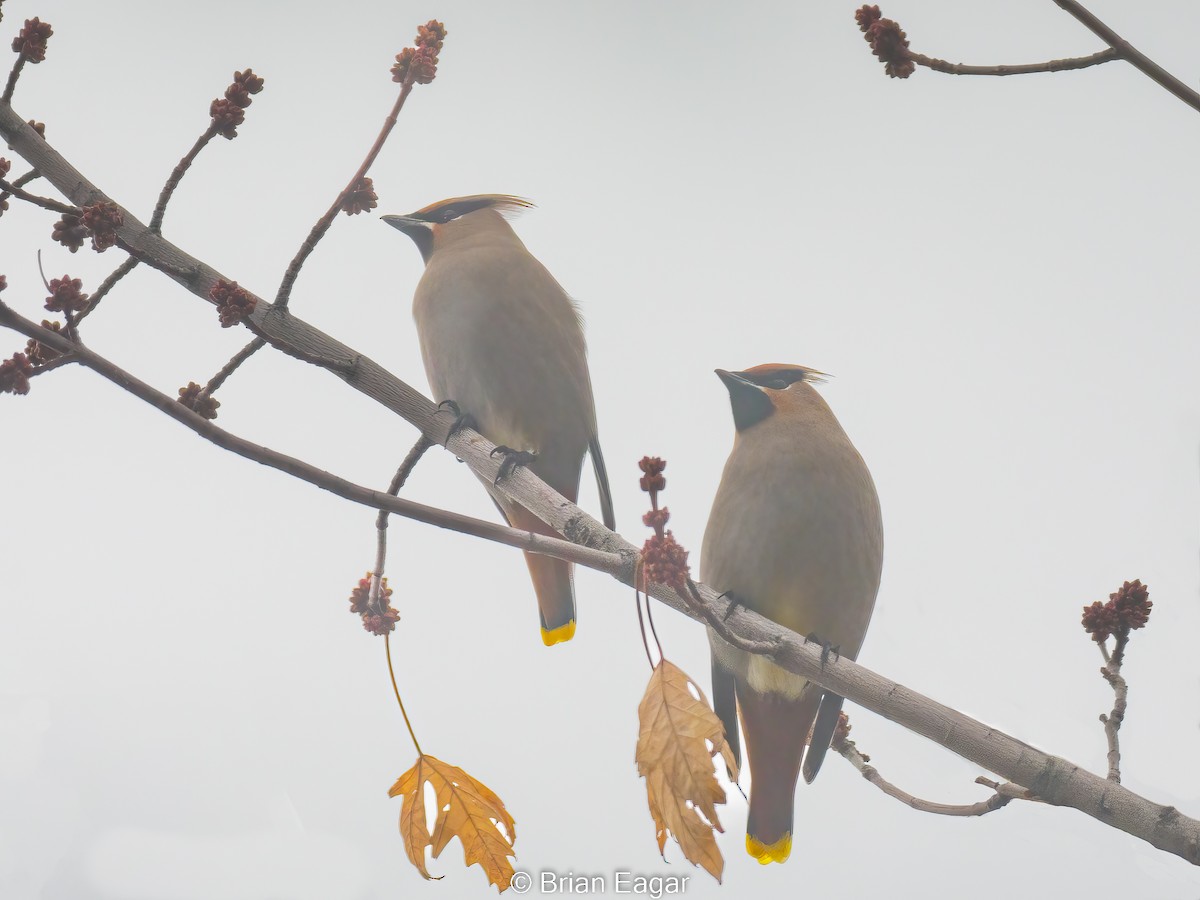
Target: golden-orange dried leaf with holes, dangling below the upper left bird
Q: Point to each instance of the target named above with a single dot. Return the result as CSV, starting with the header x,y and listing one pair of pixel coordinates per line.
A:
x,y
467,811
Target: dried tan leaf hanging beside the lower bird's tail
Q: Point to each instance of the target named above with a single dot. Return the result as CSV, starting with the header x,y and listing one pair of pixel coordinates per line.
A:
x,y
674,755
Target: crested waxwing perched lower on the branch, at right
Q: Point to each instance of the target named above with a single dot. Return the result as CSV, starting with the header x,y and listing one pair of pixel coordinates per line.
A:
x,y
795,535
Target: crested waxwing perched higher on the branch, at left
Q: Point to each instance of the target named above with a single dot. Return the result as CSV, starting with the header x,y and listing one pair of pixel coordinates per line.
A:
x,y
503,344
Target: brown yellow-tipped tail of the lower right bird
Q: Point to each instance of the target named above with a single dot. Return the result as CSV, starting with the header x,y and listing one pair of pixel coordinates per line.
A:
x,y
776,731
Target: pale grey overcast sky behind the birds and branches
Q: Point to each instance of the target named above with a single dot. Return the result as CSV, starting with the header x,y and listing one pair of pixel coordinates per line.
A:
x,y
1000,273
